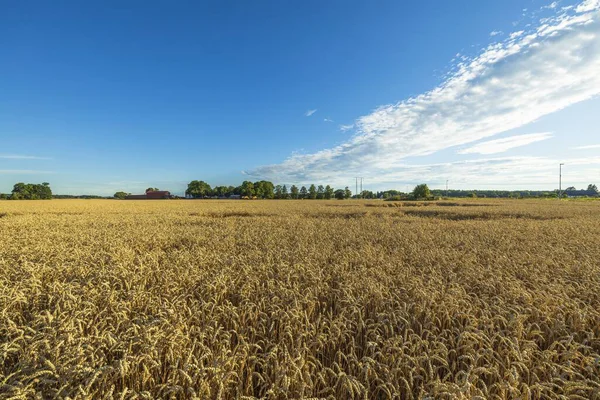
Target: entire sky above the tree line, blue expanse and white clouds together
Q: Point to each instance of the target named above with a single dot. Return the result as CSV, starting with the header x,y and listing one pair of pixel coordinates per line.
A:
x,y
97,97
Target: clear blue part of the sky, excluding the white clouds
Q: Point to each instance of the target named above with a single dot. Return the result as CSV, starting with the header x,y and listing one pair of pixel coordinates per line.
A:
x,y
100,96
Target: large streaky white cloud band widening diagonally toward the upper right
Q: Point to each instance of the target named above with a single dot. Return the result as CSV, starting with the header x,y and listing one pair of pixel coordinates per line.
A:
x,y
508,85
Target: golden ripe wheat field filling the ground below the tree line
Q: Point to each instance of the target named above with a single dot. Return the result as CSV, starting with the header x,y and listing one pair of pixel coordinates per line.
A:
x,y
296,299
